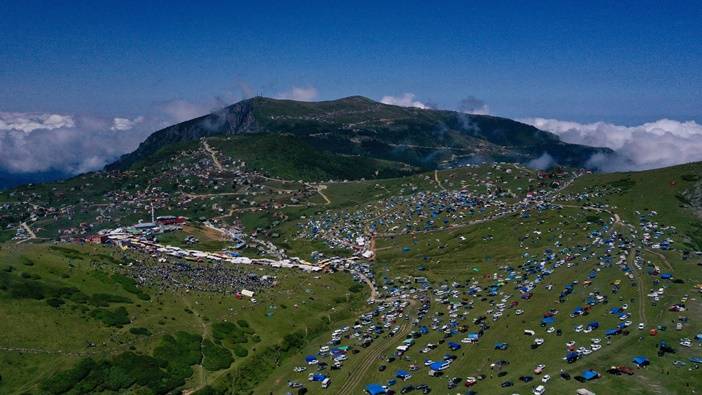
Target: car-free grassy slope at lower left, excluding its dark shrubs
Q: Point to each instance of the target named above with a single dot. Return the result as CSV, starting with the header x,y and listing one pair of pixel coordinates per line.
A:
x,y
61,336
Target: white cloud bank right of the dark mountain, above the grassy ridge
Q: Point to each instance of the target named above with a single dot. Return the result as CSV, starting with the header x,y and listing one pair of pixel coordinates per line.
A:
x,y
650,145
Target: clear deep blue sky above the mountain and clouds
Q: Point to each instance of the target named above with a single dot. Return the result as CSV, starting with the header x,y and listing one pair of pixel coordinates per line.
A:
x,y
628,62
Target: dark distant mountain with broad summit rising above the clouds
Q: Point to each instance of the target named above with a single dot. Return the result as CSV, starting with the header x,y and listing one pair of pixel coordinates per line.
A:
x,y
359,126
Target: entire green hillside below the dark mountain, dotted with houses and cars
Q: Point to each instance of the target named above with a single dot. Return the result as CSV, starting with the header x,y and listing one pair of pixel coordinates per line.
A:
x,y
452,249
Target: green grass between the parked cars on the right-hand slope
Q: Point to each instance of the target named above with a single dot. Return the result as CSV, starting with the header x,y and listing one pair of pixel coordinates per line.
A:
x,y
453,259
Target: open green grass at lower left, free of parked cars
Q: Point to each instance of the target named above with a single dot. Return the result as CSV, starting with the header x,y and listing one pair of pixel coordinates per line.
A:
x,y
60,337
